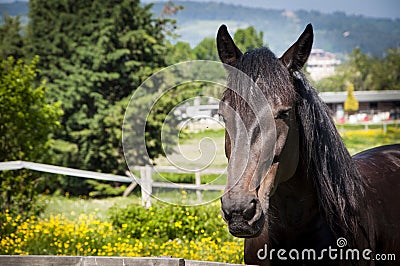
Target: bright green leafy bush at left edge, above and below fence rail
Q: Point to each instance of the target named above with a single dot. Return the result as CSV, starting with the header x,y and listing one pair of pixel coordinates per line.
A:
x,y
26,125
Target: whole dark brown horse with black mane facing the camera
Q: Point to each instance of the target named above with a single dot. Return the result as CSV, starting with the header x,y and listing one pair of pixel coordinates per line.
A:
x,y
313,194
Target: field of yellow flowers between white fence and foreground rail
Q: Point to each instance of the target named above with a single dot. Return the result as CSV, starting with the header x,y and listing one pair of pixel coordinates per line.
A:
x,y
87,235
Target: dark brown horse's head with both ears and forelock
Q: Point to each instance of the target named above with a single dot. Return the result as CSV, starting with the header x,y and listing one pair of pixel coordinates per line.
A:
x,y
255,167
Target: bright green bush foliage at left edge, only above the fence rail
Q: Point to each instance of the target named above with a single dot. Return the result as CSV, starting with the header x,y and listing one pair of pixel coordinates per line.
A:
x,y
26,120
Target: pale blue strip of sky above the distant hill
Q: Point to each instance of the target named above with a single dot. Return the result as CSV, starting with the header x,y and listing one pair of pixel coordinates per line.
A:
x,y
369,8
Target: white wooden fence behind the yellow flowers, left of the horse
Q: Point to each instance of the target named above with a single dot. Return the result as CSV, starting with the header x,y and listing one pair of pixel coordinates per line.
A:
x,y
145,180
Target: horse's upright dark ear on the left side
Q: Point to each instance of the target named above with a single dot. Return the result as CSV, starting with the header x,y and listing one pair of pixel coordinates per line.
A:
x,y
227,50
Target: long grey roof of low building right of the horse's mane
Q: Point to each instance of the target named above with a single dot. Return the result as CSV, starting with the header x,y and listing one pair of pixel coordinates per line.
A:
x,y
361,96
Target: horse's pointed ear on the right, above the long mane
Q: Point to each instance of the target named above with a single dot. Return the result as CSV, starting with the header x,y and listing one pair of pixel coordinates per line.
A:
x,y
296,56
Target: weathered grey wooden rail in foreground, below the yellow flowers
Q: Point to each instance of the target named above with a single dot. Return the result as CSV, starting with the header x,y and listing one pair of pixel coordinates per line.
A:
x,y
31,260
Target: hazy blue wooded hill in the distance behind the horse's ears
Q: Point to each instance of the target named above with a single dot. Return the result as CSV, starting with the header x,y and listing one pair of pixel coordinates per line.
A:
x,y
335,32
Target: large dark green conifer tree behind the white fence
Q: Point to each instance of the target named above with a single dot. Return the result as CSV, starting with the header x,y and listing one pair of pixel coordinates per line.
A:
x,y
95,53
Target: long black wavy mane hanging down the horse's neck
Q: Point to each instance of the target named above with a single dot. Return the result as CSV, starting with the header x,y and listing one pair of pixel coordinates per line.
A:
x,y
326,160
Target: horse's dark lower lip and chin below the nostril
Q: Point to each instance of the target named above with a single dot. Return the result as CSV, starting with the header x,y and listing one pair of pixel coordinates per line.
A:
x,y
241,228
